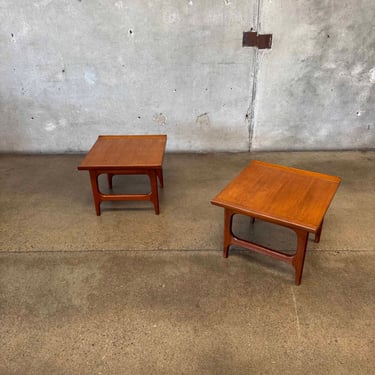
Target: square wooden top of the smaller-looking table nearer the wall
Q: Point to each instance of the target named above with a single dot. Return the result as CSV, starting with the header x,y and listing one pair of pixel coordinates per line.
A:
x,y
125,151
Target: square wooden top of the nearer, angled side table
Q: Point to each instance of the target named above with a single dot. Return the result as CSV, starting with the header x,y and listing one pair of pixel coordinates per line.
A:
x,y
279,194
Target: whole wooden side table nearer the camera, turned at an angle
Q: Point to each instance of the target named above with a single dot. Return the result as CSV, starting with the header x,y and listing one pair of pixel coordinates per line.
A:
x,y
289,197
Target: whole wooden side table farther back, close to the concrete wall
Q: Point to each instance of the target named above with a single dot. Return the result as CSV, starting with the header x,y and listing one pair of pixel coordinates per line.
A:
x,y
126,155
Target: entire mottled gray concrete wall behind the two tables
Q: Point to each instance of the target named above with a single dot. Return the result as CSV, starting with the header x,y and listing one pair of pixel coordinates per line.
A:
x,y
73,69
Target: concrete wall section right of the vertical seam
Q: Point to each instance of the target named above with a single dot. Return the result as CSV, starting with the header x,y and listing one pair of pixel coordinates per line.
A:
x,y
316,88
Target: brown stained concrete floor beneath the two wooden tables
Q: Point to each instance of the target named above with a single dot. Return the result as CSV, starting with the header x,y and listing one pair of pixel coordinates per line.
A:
x,y
130,292
